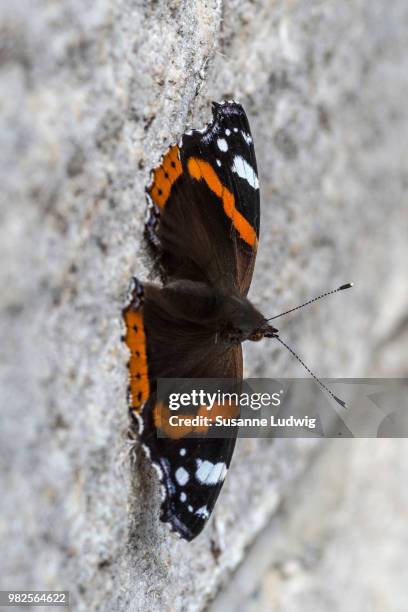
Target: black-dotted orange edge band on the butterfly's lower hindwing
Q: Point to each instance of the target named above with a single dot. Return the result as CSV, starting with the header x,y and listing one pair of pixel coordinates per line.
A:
x,y
135,339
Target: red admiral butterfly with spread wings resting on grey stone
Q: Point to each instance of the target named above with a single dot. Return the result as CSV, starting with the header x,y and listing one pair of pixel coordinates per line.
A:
x,y
203,228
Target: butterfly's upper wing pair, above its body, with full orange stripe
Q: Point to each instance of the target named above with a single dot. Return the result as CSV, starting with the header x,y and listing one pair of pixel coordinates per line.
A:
x,y
204,220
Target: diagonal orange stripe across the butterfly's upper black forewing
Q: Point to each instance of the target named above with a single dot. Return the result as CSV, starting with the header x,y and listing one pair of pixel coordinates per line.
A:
x,y
202,170
